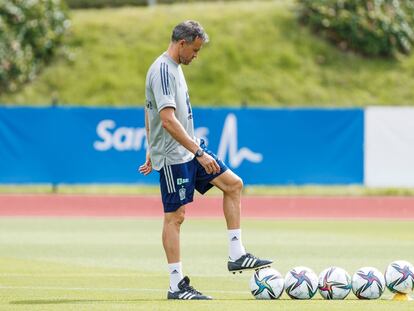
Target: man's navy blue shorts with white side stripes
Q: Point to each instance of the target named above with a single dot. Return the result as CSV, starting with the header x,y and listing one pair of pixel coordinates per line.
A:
x,y
178,181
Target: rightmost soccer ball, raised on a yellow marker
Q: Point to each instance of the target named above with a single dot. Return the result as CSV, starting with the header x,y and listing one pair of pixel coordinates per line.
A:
x,y
399,277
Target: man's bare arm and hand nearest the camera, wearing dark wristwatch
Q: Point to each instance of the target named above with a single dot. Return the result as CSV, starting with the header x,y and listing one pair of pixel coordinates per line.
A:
x,y
176,130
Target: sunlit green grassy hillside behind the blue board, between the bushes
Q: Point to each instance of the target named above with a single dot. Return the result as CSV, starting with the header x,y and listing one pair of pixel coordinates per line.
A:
x,y
258,54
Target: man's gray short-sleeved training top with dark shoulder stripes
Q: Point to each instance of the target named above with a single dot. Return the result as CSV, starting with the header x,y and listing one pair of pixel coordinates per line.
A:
x,y
165,86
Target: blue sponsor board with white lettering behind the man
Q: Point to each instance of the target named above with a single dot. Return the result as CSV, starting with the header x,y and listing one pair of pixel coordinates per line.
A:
x,y
263,146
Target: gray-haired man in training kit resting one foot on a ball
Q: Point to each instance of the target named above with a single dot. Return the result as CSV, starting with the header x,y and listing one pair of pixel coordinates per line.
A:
x,y
183,161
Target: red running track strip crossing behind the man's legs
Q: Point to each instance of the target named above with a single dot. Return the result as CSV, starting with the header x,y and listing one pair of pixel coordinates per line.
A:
x,y
252,206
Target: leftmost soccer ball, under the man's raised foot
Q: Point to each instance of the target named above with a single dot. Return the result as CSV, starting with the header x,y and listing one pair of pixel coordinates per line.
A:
x,y
266,283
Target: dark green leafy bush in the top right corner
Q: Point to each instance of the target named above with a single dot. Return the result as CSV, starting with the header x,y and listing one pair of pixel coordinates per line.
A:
x,y
371,27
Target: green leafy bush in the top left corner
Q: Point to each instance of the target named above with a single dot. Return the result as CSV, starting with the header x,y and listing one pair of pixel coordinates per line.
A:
x,y
30,32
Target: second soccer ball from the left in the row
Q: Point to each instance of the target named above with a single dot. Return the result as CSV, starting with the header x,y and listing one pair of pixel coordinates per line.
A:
x,y
301,283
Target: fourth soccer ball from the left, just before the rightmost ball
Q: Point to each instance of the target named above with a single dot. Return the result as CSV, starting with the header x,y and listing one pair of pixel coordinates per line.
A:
x,y
368,283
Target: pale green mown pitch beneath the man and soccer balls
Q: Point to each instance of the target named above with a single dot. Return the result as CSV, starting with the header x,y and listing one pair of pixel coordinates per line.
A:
x,y
118,264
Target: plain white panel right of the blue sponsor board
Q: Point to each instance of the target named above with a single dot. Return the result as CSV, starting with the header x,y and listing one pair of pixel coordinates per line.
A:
x,y
389,147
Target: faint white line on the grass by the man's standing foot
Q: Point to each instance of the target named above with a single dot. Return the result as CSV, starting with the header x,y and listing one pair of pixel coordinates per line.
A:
x,y
109,289
